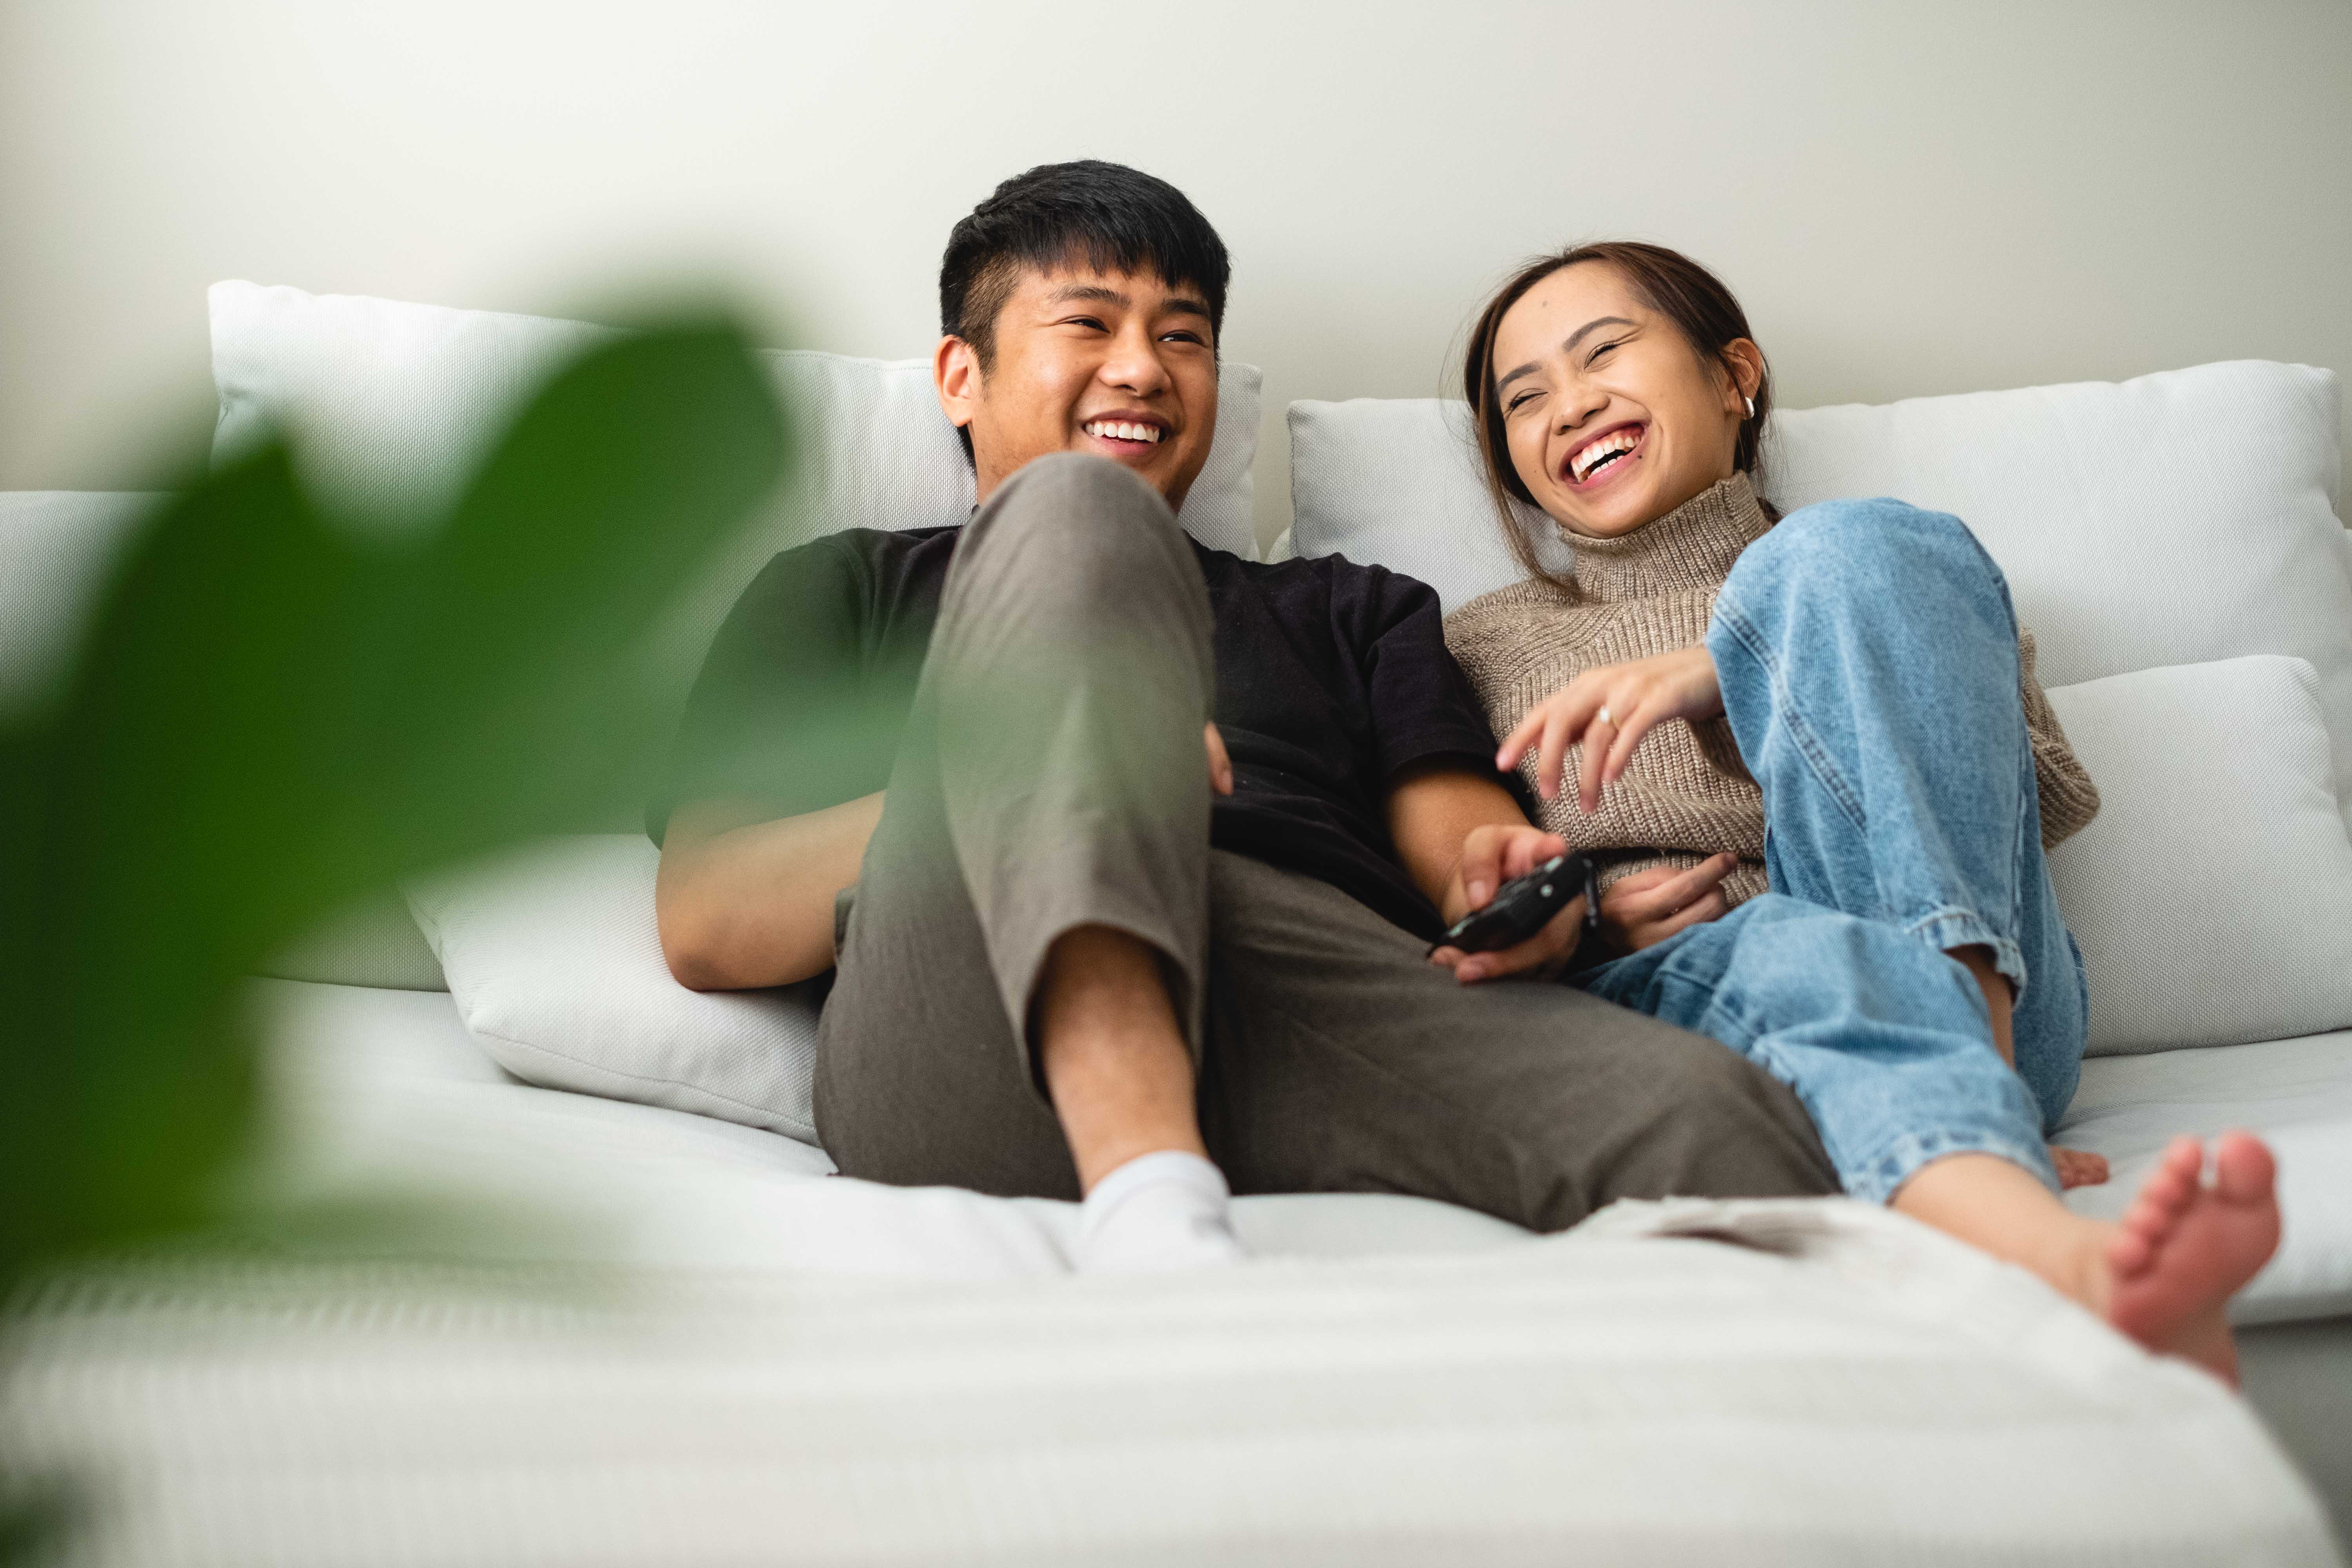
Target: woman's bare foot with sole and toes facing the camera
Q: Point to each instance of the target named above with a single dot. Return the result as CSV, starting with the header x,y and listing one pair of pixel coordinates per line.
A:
x,y
2186,1249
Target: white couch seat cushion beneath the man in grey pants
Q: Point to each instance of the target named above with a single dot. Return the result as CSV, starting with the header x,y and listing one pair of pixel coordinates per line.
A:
x,y
389,1090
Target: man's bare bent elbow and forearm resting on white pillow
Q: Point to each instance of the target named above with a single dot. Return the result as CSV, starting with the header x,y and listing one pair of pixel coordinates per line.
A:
x,y
747,902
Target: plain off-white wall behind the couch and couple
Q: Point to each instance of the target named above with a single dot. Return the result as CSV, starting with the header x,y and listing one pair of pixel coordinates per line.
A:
x,y
1911,199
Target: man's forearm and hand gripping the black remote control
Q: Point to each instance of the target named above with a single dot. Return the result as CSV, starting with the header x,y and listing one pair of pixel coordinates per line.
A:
x,y
1459,838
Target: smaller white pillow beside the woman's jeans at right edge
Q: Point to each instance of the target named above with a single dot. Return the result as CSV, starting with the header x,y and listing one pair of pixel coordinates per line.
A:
x,y
2214,892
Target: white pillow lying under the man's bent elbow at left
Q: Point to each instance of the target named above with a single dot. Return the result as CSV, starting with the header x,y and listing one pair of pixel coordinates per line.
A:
x,y
556,965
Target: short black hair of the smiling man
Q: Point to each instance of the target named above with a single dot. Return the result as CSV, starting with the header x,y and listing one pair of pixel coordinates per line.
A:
x,y
1093,213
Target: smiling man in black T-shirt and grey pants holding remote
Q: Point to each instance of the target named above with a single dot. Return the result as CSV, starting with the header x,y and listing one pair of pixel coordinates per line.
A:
x,y
1125,852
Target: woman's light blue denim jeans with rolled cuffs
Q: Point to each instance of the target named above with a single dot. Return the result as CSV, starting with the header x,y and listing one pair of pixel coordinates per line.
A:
x,y
1869,659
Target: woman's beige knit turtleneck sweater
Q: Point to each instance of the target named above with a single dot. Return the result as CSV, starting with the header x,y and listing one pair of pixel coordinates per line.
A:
x,y
1685,796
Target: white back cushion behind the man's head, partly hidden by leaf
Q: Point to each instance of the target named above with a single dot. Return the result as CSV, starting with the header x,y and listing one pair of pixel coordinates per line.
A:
x,y
392,401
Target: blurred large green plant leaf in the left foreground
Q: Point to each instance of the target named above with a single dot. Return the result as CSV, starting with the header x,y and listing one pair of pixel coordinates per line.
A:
x,y
272,718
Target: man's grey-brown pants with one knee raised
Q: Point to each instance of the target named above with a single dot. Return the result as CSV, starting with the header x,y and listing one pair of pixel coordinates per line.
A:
x,y
1053,777
